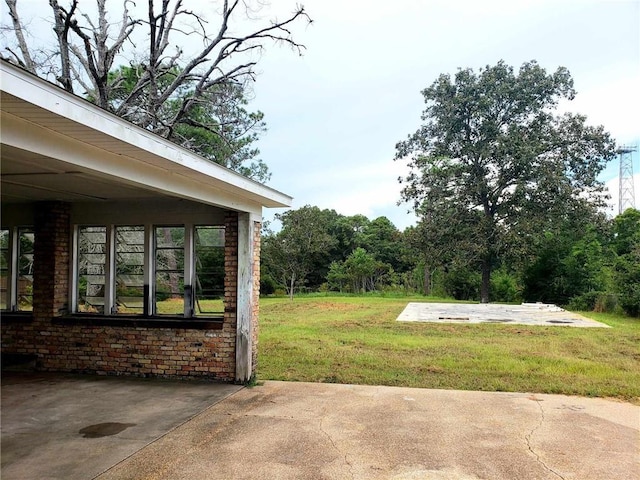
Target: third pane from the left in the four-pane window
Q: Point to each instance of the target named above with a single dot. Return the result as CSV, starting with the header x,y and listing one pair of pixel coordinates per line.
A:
x,y
169,270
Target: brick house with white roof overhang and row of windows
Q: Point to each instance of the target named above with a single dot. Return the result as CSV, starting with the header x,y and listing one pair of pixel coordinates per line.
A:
x,y
122,253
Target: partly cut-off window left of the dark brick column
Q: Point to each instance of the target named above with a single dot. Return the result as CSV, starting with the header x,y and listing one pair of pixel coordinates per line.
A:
x,y
16,269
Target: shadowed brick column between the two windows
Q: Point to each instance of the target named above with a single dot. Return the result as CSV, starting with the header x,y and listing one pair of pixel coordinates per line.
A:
x,y
52,251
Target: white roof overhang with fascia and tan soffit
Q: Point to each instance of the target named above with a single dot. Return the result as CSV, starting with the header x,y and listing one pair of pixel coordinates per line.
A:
x,y
57,146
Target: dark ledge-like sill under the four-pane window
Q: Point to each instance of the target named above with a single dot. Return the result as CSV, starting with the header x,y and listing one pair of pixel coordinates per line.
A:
x,y
198,323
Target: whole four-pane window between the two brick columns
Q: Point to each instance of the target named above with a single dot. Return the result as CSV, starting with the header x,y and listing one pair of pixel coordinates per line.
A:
x,y
150,270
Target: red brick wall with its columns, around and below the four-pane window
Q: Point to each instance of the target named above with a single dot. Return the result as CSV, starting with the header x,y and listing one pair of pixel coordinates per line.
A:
x,y
121,350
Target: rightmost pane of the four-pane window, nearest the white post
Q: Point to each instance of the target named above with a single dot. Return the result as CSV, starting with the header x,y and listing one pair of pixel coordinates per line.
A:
x,y
209,270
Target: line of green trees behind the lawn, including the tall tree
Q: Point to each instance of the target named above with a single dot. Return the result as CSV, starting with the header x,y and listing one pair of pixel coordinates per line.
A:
x,y
507,191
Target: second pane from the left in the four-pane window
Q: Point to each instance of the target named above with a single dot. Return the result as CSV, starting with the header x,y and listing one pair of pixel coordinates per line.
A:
x,y
130,269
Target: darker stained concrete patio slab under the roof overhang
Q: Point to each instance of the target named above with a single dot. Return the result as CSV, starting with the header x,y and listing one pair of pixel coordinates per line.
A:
x,y
57,426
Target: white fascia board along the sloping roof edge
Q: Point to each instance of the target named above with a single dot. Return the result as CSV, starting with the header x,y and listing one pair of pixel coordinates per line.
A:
x,y
175,159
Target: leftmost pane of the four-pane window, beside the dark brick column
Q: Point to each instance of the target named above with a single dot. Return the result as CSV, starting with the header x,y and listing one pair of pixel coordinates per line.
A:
x,y
92,245
